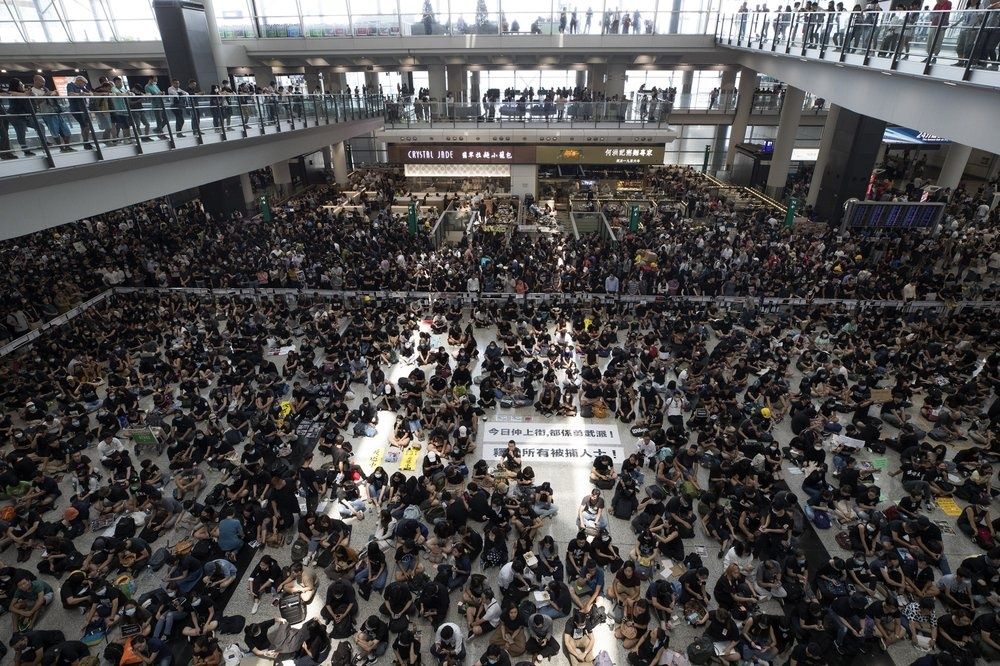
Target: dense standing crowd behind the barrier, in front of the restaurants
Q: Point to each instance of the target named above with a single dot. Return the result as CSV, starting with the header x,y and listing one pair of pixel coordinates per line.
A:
x,y
711,250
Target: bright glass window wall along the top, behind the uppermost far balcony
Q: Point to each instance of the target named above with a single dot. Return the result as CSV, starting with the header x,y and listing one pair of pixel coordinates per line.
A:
x,y
125,20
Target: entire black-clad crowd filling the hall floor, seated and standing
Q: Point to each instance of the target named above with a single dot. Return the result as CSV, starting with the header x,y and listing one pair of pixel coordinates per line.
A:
x,y
259,408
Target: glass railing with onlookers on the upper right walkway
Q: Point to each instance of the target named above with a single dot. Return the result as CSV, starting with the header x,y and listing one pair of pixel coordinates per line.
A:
x,y
947,44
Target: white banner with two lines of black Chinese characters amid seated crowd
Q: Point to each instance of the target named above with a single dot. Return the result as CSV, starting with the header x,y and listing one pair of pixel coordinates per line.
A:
x,y
557,442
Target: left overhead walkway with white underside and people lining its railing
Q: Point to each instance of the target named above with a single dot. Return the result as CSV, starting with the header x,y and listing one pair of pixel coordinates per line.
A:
x,y
103,166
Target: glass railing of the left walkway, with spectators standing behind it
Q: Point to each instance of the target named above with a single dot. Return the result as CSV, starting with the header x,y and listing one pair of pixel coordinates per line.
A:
x,y
48,132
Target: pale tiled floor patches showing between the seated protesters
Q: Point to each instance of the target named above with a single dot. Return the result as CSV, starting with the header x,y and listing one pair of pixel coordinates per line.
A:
x,y
569,480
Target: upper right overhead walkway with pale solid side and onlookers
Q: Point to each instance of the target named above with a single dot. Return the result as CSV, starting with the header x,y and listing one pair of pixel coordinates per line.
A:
x,y
936,71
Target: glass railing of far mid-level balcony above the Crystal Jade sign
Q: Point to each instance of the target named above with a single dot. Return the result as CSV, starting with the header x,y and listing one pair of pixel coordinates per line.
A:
x,y
641,110
